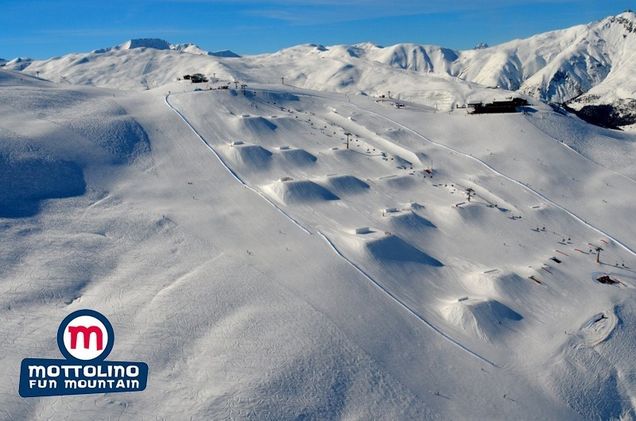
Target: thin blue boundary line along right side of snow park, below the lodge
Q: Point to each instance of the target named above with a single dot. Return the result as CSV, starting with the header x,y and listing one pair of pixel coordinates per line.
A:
x,y
512,180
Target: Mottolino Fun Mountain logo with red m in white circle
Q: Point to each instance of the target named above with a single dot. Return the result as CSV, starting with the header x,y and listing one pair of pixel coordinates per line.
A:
x,y
85,338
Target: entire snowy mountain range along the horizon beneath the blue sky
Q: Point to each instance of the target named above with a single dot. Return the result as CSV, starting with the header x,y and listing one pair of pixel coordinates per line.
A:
x,y
589,68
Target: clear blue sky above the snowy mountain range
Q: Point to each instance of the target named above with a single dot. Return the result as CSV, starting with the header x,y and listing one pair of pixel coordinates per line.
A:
x,y
45,28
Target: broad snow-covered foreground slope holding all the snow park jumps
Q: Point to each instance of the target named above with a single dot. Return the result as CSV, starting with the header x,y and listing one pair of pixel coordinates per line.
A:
x,y
265,271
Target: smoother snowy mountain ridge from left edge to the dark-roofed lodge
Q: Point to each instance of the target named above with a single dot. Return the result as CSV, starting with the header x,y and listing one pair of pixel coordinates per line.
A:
x,y
144,64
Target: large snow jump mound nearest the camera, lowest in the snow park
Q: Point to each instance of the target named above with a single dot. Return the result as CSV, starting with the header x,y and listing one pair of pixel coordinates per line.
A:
x,y
482,318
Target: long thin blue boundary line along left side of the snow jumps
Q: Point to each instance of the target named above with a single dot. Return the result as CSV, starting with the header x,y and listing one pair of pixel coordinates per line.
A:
x,y
331,245
